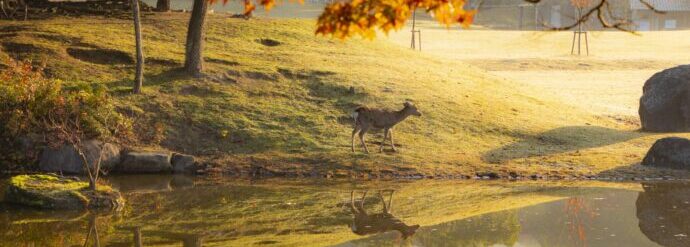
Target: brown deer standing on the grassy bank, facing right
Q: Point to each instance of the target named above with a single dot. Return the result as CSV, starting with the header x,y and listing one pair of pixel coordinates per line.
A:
x,y
368,118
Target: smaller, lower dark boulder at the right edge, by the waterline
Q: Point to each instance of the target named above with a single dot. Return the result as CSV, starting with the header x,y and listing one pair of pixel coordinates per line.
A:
x,y
670,152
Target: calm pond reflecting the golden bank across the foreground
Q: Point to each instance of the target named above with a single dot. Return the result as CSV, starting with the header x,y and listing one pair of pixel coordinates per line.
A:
x,y
202,211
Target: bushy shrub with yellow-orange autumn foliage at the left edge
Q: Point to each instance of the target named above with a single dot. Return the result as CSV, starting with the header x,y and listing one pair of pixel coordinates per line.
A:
x,y
39,109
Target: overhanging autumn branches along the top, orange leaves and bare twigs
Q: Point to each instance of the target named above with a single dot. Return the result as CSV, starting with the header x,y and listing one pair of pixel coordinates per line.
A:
x,y
347,18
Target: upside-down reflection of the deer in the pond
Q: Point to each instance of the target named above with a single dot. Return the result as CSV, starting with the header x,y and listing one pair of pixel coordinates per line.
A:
x,y
365,224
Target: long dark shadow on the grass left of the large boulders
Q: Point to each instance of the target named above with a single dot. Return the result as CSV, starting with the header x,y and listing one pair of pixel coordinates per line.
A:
x,y
559,140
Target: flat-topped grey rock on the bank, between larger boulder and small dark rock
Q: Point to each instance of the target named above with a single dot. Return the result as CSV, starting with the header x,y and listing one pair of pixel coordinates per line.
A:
x,y
145,162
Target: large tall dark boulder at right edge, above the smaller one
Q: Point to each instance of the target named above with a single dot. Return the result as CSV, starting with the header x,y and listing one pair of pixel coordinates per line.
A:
x,y
665,102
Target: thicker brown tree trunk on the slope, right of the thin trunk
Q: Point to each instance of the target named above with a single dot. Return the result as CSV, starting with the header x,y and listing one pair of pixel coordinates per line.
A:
x,y
193,63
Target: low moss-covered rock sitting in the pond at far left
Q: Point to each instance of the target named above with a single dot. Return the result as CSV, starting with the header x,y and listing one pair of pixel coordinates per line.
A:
x,y
50,191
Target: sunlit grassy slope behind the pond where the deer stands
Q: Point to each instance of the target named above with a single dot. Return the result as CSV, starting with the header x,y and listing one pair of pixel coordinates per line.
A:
x,y
287,107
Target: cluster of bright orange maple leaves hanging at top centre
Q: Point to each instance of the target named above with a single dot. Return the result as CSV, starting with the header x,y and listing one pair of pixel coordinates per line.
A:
x,y
363,17
